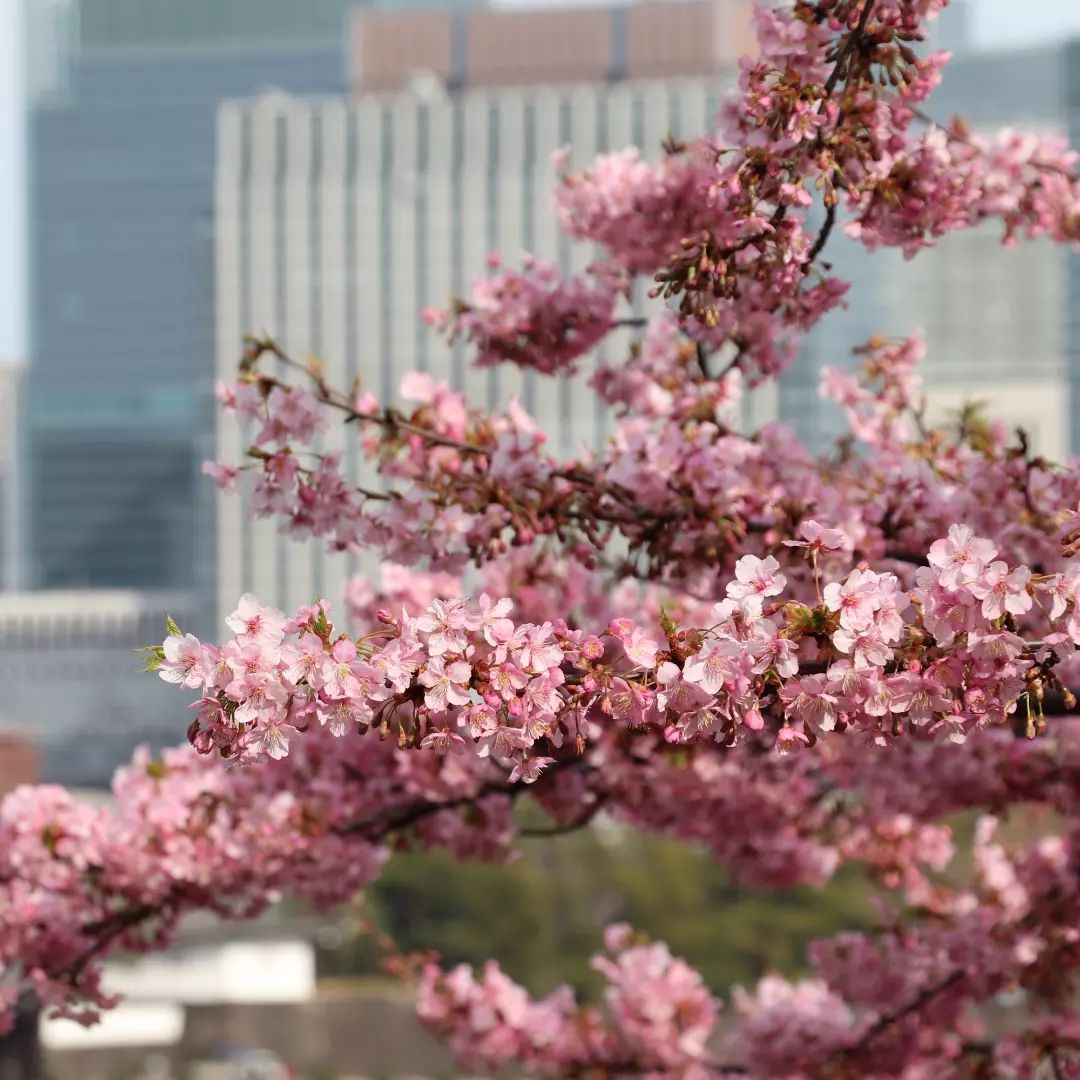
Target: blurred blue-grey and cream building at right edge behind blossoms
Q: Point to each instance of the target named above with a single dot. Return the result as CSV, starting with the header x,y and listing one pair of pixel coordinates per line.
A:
x,y
1000,323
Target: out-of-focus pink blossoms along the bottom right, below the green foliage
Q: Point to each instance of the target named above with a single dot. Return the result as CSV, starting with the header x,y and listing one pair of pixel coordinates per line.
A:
x,y
897,1006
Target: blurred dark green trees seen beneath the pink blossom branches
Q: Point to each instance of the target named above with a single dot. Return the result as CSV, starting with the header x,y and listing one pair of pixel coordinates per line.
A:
x,y
543,917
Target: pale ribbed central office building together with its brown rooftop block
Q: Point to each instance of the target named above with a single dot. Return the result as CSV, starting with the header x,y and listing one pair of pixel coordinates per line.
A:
x,y
337,222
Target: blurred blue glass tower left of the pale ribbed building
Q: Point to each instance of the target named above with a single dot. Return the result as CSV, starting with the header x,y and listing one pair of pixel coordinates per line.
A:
x,y
121,150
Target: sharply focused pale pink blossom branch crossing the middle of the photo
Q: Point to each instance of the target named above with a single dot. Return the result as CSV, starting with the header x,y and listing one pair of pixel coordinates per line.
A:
x,y
947,655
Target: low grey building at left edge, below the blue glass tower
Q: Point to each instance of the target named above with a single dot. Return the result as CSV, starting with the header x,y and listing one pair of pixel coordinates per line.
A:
x,y
73,682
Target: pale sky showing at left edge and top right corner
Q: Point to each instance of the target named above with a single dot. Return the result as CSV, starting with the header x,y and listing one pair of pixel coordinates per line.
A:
x,y
997,23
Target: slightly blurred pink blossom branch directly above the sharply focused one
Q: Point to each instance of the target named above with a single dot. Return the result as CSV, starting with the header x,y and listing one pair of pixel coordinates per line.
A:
x,y
678,484
